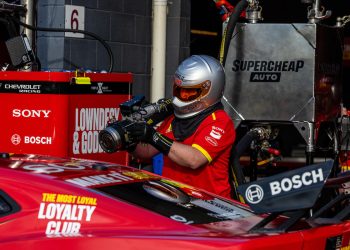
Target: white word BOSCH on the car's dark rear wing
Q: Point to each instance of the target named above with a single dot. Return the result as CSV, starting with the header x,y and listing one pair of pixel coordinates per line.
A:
x,y
296,181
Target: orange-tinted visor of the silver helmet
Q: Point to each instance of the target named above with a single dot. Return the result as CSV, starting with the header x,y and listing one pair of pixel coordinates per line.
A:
x,y
190,93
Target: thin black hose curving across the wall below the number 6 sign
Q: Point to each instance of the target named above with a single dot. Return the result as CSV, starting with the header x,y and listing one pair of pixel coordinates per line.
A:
x,y
104,43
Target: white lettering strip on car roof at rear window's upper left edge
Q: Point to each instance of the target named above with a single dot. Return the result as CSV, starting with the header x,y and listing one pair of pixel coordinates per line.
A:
x,y
96,180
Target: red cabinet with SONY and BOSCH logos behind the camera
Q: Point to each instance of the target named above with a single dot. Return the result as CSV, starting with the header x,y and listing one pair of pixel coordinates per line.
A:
x,y
50,113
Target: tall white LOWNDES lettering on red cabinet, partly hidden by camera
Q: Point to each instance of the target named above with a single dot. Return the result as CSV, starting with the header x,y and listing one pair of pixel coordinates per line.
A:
x,y
88,123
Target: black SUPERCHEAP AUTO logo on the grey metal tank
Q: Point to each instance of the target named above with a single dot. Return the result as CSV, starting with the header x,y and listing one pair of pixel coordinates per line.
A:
x,y
266,71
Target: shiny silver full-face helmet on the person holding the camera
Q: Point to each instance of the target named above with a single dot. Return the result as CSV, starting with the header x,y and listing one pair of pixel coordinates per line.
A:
x,y
199,83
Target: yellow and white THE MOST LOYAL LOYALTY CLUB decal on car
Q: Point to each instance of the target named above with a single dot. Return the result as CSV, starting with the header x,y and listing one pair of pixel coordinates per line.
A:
x,y
64,213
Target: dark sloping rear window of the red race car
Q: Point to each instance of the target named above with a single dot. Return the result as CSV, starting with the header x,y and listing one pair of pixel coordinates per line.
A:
x,y
175,202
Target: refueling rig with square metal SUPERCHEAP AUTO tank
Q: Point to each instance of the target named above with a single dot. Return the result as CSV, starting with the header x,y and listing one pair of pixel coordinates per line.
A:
x,y
283,80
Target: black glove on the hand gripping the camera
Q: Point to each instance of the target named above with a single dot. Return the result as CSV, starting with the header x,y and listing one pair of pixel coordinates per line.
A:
x,y
141,131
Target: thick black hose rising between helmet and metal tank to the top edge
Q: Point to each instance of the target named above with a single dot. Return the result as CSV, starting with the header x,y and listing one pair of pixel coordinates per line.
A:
x,y
239,8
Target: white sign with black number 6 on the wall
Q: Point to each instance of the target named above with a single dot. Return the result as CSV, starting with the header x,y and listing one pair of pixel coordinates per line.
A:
x,y
74,19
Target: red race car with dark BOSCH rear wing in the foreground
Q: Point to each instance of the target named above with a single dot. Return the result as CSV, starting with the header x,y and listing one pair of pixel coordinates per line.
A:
x,y
56,203
